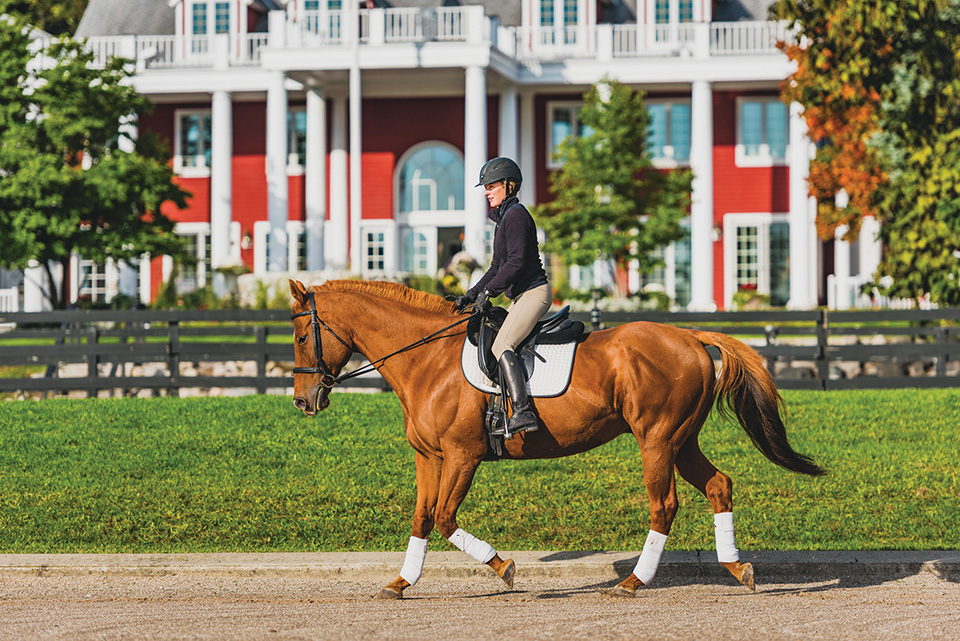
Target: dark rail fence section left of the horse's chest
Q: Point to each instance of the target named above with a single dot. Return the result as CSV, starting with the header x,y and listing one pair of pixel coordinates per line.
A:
x,y
129,351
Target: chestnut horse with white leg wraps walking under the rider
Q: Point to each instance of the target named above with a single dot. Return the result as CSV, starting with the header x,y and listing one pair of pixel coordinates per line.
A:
x,y
654,381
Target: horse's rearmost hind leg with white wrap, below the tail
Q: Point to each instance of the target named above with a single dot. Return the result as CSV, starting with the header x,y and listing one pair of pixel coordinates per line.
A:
x,y
699,472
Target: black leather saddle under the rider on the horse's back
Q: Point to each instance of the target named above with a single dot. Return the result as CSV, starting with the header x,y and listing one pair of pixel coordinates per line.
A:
x,y
553,330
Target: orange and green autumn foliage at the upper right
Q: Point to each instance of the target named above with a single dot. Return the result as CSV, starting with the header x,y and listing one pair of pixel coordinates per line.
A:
x,y
880,85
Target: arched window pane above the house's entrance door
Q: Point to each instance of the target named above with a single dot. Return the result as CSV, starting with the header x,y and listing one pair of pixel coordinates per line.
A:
x,y
431,179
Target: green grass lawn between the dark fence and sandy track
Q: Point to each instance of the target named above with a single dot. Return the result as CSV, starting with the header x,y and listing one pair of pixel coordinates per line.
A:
x,y
254,474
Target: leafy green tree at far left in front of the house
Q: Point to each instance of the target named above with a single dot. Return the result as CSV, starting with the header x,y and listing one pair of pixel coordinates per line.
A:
x,y
67,187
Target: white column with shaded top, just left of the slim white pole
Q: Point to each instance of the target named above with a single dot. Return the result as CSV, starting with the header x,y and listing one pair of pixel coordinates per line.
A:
x,y
336,239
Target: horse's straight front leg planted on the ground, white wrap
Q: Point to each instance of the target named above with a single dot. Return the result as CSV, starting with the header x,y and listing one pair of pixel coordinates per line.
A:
x,y
428,488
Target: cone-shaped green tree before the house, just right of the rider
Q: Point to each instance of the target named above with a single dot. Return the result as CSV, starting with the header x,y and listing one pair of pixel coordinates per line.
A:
x,y
610,202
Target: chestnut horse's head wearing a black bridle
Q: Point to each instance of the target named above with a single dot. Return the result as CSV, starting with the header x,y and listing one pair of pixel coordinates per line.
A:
x,y
319,353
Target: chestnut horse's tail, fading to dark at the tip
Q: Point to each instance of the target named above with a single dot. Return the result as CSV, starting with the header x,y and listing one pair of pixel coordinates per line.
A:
x,y
745,388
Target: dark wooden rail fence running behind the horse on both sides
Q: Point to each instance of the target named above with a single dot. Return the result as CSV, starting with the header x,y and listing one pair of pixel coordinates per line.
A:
x,y
111,350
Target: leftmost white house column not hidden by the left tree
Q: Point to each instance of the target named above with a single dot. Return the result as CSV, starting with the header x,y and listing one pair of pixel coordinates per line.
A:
x,y
221,186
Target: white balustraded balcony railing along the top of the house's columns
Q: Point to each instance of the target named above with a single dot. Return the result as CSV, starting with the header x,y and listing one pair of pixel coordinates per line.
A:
x,y
381,27
